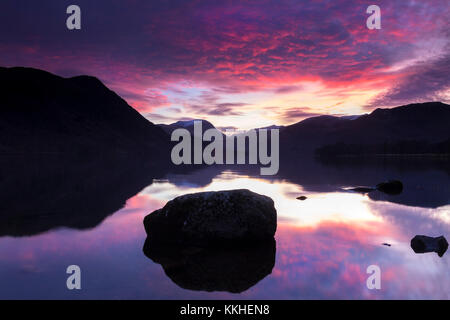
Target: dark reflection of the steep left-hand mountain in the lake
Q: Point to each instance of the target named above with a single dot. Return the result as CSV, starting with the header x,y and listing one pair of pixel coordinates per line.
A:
x,y
44,193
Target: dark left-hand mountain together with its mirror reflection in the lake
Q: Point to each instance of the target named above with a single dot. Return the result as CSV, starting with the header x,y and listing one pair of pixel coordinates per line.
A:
x,y
71,152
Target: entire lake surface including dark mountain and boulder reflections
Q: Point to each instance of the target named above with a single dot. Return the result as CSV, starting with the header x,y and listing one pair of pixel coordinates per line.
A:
x,y
323,244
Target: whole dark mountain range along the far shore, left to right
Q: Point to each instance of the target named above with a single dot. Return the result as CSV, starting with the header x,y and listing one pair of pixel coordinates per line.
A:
x,y
44,113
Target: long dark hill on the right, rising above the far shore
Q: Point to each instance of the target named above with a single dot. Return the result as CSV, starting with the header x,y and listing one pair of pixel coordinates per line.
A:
x,y
422,122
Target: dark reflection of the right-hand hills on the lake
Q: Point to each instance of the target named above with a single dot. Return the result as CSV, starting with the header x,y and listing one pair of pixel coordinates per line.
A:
x,y
426,181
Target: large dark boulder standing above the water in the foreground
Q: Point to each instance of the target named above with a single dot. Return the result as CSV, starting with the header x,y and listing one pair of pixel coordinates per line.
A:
x,y
214,218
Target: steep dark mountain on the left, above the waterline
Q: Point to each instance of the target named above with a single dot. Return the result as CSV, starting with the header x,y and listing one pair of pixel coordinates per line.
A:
x,y
44,113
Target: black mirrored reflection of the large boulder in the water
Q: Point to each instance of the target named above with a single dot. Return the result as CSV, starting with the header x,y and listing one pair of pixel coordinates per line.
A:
x,y
231,269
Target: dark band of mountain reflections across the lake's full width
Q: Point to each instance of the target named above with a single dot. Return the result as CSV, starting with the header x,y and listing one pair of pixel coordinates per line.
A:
x,y
44,193
